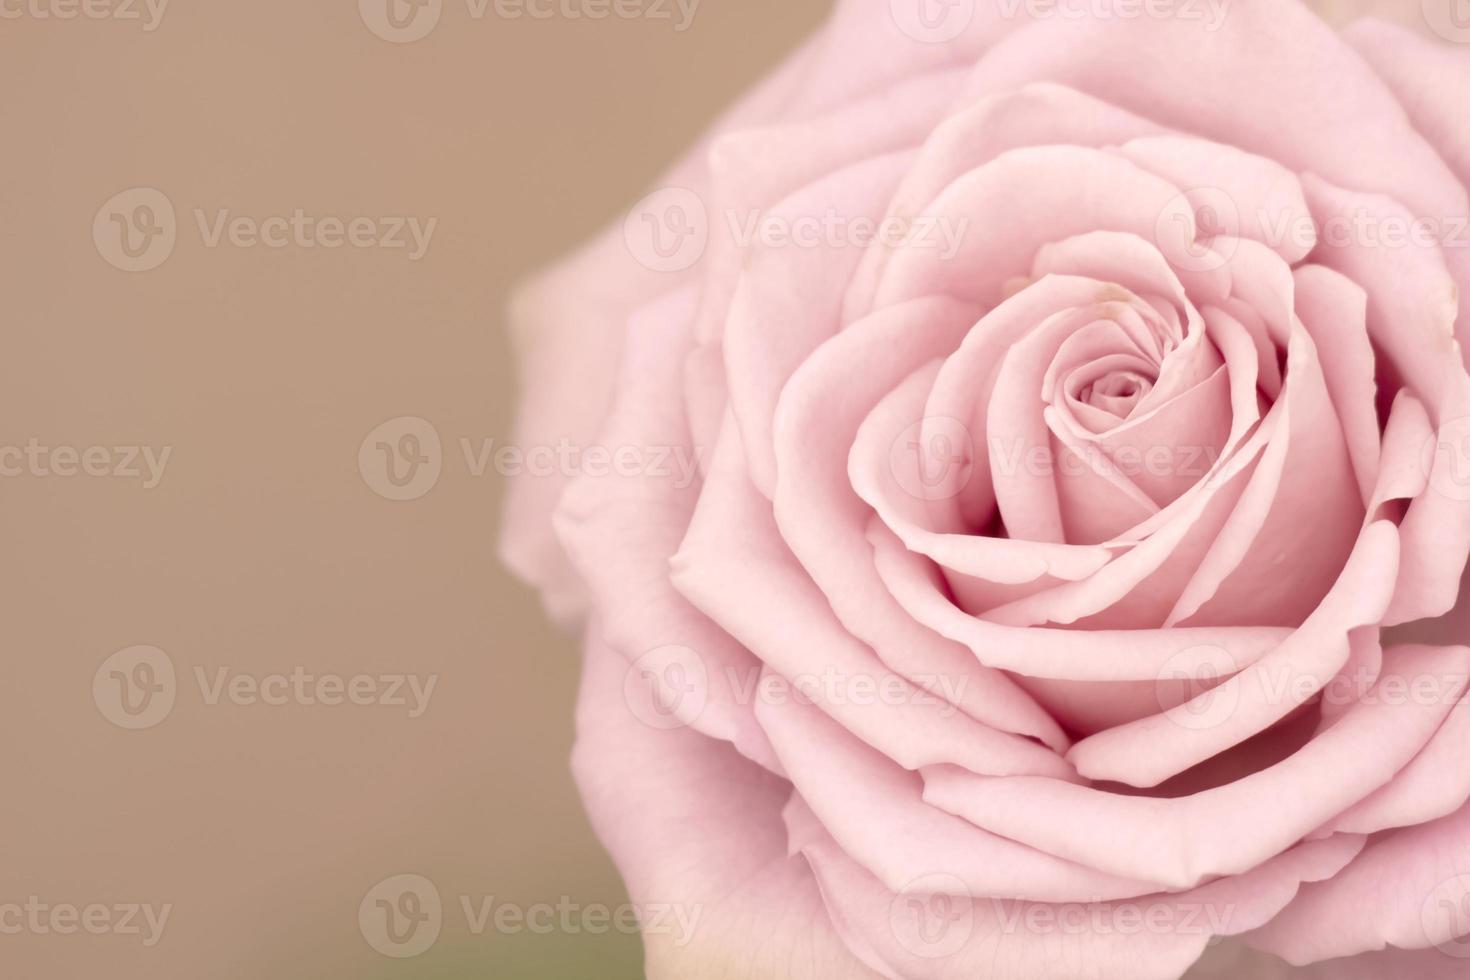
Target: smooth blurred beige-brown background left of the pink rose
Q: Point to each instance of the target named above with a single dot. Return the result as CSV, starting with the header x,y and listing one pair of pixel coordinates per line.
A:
x,y
264,550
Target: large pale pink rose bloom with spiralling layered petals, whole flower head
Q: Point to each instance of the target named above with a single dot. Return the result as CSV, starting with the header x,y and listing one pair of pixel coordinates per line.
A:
x,y
1033,600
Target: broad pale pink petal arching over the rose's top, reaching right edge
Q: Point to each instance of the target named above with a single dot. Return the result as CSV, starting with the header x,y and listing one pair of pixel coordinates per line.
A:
x,y
1324,111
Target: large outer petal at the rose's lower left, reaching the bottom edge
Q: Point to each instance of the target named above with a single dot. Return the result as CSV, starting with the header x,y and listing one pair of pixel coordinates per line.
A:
x,y
695,826
